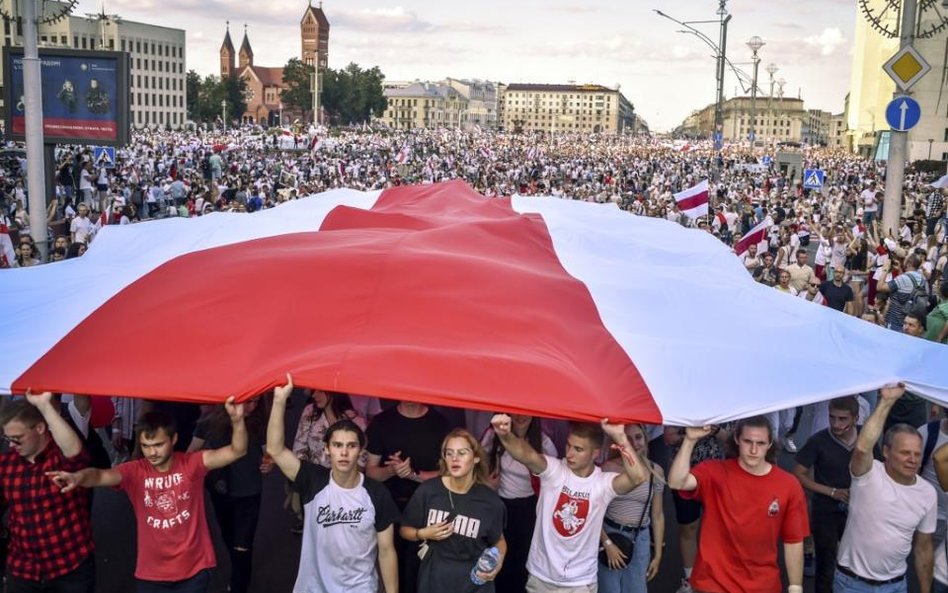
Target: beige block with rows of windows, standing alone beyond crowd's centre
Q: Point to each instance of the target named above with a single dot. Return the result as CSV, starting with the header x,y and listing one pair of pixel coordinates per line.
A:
x,y
557,108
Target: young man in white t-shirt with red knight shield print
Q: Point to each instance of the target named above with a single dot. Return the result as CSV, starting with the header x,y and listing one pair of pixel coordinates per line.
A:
x,y
574,494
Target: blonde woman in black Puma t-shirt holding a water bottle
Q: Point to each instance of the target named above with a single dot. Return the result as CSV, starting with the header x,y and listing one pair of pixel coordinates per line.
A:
x,y
458,516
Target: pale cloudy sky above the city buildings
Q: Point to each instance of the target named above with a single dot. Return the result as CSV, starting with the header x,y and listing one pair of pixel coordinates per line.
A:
x,y
664,73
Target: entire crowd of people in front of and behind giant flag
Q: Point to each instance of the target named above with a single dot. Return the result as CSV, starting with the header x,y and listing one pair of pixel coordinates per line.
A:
x,y
400,496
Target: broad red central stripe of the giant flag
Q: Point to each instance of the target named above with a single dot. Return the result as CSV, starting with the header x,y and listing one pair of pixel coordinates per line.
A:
x,y
435,295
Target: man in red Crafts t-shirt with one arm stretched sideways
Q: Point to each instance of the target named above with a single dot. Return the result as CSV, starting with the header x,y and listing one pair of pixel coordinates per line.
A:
x,y
166,488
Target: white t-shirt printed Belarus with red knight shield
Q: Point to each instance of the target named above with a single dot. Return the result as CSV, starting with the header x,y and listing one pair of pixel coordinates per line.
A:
x,y
569,518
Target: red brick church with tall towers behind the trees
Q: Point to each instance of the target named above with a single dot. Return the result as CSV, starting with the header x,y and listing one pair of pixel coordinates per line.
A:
x,y
264,83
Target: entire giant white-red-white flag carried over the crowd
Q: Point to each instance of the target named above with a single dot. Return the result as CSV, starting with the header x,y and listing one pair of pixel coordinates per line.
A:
x,y
436,294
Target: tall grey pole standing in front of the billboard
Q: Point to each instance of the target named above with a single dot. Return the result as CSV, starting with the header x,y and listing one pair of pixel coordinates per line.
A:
x,y
33,107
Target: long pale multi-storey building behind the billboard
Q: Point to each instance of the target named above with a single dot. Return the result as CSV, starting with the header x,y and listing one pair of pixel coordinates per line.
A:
x,y
157,58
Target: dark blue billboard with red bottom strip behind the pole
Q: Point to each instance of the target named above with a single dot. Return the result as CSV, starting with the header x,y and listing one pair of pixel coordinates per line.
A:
x,y
85,96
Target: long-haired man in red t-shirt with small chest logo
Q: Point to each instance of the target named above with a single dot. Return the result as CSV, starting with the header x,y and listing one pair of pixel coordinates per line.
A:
x,y
749,504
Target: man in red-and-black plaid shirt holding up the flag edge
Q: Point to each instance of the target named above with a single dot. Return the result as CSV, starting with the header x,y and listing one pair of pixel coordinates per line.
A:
x,y
50,533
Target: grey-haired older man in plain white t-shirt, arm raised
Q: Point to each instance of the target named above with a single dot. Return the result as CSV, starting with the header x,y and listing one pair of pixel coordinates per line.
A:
x,y
892,512
